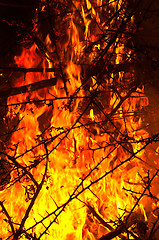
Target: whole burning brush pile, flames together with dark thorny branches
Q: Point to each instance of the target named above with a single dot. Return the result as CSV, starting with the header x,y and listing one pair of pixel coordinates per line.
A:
x,y
74,160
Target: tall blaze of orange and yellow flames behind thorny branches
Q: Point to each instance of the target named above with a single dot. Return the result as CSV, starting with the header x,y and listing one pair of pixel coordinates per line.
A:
x,y
75,157
